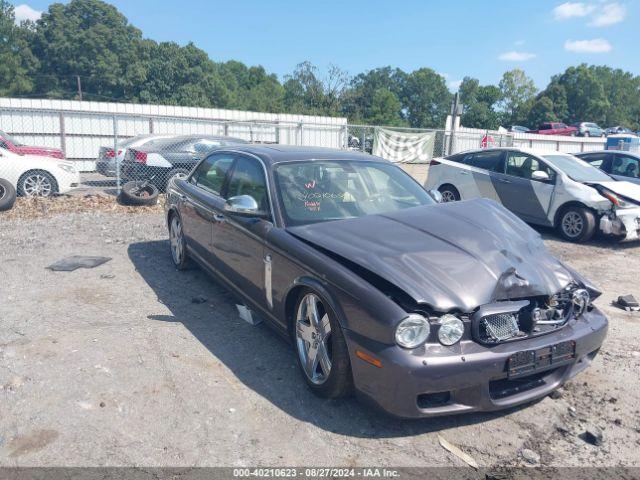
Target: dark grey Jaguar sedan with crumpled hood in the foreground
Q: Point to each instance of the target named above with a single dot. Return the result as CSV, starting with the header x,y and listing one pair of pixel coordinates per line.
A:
x,y
423,308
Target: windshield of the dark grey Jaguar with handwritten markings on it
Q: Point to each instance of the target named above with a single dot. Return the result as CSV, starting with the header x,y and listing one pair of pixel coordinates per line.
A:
x,y
318,191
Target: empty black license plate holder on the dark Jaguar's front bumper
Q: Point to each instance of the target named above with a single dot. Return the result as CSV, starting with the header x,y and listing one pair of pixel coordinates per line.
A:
x,y
531,361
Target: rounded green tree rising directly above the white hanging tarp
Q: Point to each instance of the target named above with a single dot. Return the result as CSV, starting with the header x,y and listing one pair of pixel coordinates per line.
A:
x,y
426,98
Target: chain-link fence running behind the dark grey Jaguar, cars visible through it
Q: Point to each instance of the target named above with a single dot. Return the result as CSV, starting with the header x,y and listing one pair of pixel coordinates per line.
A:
x,y
47,152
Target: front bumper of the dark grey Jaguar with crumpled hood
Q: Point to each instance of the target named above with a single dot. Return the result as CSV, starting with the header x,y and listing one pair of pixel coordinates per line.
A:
x,y
467,377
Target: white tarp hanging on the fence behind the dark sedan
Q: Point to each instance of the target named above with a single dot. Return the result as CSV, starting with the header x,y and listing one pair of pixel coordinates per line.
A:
x,y
403,147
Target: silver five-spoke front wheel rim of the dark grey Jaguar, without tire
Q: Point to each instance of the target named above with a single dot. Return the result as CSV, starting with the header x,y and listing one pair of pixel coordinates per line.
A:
x,y
313,338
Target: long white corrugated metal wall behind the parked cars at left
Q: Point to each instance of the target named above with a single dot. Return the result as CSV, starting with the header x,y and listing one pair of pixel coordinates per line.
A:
x,y
81,128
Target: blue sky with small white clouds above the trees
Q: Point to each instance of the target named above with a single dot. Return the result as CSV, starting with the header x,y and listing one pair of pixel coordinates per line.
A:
x,y
456,38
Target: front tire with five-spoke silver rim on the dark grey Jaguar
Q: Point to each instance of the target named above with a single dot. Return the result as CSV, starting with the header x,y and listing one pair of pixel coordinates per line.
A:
x,y
321,348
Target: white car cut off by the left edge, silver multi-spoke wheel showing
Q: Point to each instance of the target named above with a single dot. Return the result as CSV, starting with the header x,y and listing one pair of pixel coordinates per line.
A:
x,y
37,176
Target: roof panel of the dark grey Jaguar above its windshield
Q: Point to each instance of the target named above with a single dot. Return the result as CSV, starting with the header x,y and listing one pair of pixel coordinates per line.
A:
x,y
275,153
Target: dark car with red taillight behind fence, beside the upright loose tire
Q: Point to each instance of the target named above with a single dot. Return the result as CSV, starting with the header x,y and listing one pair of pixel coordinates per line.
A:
x,y
160,160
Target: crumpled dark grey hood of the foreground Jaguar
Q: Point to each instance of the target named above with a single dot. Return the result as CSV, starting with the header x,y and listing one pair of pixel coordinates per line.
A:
x,y
452,256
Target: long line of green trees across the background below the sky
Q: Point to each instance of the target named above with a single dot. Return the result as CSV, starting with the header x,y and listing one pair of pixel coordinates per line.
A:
x,y
93,40
